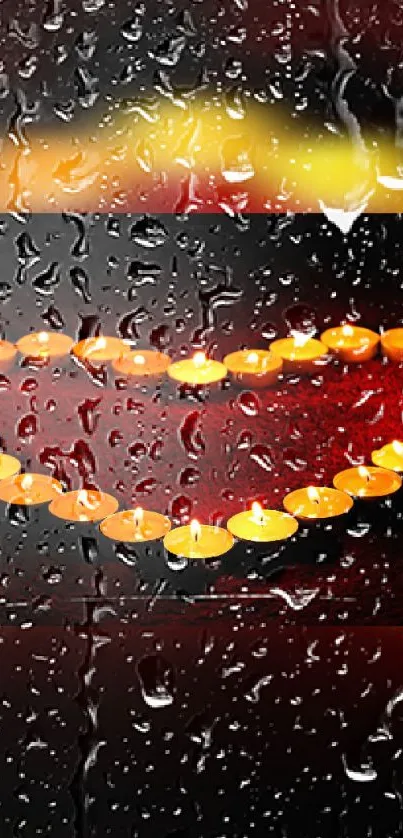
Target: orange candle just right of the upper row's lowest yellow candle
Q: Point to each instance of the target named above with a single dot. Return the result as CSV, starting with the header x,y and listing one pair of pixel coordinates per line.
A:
x,y
254,367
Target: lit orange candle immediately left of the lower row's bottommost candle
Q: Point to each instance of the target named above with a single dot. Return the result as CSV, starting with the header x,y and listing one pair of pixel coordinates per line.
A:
x,y
136,525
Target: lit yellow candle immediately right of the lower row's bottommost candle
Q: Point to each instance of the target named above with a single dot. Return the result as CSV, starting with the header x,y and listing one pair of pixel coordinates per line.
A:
x,y
258,524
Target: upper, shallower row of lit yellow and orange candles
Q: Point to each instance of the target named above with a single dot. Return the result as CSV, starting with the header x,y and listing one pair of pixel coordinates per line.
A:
x,y
251,367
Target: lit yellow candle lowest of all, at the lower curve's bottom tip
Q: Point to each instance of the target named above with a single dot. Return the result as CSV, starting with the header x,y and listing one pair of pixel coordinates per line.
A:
x,y
198,541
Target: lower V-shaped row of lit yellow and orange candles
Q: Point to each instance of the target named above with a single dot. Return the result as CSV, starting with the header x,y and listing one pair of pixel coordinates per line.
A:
x,y
197,541
